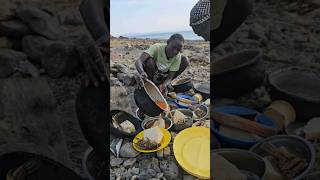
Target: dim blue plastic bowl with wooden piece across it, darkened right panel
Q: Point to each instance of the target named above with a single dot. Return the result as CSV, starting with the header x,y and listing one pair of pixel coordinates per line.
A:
x,y
243,112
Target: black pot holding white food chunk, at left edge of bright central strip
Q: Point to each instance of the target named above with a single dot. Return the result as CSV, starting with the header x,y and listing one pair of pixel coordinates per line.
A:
x,y
124,116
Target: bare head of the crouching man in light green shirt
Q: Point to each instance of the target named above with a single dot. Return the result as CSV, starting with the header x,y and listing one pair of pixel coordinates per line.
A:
x,y
174,45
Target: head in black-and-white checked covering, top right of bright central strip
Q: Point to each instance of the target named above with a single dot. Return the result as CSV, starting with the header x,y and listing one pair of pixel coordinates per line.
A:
x,y
200,19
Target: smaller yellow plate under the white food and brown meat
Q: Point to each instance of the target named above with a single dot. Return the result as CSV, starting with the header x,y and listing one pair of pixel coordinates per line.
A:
x,y
164,143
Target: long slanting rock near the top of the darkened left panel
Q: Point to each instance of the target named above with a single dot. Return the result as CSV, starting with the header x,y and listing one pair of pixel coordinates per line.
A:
x,y
41,22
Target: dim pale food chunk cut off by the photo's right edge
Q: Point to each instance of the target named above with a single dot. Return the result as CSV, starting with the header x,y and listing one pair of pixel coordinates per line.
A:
x,y
312,129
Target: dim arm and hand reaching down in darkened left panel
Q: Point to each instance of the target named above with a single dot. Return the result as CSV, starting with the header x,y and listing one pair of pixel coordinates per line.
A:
x,y
94,55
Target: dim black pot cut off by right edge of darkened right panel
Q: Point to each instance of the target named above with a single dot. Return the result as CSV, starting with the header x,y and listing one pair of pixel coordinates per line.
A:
x,y
300,87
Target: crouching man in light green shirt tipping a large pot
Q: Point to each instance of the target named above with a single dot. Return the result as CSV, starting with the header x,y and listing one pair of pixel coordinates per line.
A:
x,y
163,62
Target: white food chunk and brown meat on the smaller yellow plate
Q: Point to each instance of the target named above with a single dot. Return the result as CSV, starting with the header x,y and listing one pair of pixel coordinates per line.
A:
x,y
152,138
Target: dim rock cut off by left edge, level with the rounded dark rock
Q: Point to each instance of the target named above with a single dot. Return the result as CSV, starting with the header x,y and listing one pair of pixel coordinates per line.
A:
x,y
9,60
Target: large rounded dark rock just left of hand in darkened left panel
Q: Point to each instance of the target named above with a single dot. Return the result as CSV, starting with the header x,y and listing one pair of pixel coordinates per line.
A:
x,y
60,59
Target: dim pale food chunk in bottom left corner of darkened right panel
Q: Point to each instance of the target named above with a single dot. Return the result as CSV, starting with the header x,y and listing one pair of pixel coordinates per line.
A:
x,y
225,170
